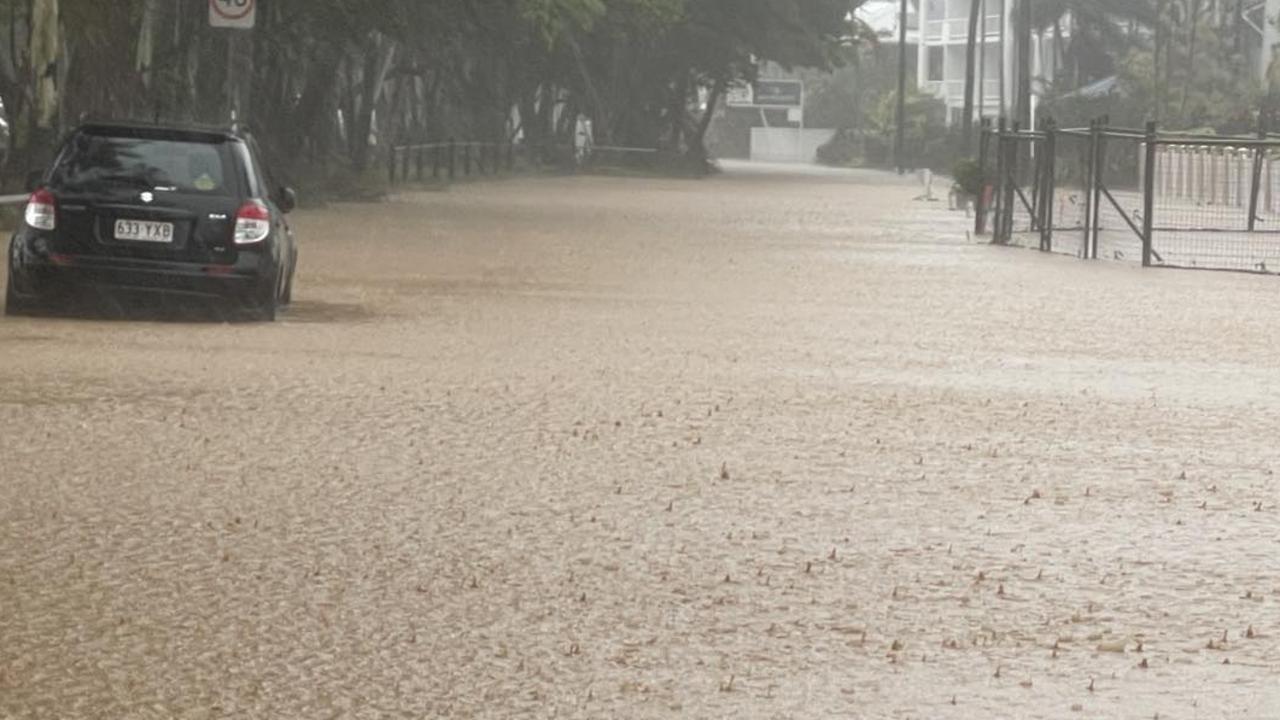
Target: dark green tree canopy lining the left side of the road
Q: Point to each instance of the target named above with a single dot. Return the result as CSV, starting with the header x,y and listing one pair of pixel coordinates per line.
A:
x,y
327,81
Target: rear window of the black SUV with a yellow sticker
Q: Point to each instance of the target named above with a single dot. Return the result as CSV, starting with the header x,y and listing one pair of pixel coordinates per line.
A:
x,y
99,163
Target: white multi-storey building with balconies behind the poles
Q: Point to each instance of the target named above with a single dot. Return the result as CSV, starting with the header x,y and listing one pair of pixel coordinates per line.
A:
x,y
941,56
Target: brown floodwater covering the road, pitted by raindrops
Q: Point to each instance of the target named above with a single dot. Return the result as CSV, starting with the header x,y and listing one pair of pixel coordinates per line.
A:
x,y
769,445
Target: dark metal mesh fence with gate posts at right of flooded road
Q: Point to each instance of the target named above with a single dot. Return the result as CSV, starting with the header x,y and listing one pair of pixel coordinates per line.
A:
x,y
1169,200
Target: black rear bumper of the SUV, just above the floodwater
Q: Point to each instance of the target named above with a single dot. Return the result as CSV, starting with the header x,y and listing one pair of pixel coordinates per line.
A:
x,y
48,275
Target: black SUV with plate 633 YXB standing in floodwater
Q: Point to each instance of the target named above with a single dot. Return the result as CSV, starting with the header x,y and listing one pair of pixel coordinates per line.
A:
x,y
159,211
